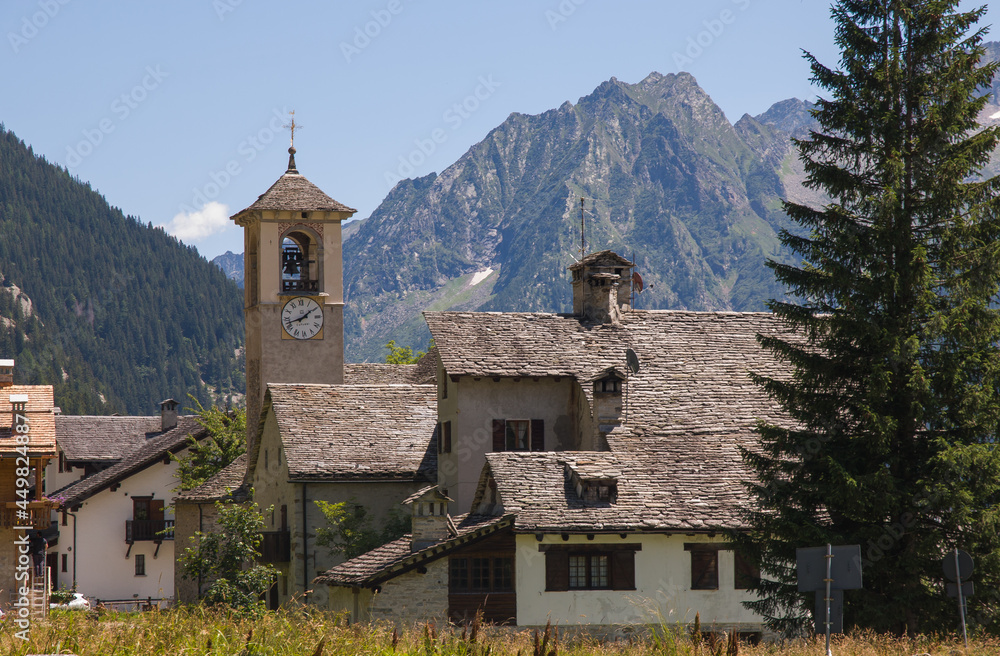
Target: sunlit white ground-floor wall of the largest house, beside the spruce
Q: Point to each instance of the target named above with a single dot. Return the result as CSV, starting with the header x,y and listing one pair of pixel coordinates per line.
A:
x,y
662,594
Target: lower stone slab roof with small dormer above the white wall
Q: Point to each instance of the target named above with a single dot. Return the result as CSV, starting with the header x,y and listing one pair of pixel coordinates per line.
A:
x,y
679,483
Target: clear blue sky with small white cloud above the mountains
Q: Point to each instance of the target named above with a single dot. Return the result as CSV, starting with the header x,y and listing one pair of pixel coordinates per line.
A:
x,y
173,109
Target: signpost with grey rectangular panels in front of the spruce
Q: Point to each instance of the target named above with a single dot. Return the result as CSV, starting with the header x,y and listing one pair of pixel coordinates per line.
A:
x,y
829,570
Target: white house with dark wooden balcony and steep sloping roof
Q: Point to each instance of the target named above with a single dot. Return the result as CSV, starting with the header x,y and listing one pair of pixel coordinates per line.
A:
x,y
116,538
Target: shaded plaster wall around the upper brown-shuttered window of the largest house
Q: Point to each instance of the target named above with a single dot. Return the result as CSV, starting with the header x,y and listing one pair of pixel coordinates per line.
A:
x,y
472,405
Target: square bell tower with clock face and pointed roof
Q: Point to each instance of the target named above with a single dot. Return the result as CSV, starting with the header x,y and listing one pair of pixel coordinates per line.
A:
x,y
293,288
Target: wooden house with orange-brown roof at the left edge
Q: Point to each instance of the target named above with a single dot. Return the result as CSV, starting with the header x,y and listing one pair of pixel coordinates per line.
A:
x,y
27,444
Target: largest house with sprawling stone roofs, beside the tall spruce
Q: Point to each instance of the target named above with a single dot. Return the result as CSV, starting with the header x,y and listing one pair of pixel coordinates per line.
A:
x,y
591,461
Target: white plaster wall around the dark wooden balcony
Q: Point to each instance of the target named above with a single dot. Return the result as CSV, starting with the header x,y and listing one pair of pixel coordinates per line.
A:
x,y
101,568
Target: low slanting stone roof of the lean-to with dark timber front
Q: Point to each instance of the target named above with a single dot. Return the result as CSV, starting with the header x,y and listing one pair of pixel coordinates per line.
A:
x,y
396,557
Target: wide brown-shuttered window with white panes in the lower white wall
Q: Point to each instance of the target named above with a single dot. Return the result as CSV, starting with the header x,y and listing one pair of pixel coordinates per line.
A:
x,y
605,567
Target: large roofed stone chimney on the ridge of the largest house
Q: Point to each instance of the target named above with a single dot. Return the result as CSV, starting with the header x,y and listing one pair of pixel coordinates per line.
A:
x,y
601,287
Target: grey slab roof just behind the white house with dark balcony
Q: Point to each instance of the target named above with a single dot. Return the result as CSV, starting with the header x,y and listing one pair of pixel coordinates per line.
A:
x,y
85,438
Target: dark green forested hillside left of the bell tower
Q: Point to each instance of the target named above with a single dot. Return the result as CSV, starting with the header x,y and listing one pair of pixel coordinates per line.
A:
x,y
116,314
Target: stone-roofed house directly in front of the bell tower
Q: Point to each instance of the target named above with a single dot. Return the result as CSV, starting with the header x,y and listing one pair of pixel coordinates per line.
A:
x,y
364,445
